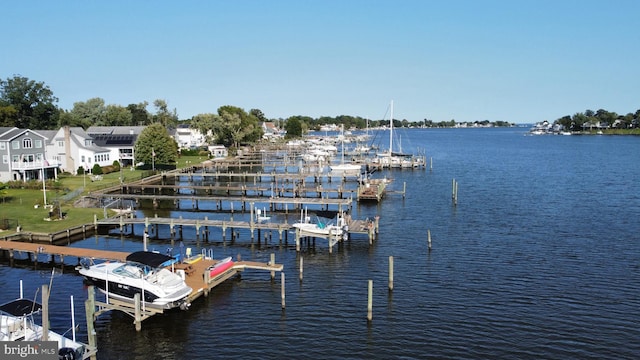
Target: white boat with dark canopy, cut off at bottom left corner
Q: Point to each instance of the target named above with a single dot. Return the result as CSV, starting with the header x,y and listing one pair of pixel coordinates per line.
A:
x,y
17,324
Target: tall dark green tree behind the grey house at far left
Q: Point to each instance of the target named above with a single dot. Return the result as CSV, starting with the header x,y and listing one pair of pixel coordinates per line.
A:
x,y
33,102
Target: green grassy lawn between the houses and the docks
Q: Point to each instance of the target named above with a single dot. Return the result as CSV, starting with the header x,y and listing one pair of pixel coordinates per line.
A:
x,y
17,205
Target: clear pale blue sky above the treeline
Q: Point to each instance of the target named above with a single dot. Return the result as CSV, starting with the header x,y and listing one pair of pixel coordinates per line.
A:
x,y
520,61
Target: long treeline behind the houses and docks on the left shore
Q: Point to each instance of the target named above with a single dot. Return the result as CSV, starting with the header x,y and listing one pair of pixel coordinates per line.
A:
x,y
26,103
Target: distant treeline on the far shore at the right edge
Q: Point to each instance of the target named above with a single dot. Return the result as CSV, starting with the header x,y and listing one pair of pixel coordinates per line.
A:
x,y
601,119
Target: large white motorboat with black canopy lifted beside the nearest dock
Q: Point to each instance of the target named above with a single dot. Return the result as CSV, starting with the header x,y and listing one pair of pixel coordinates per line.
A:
x,y
143,273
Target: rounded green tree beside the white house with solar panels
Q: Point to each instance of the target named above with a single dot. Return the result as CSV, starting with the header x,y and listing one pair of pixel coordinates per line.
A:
x,y
155,140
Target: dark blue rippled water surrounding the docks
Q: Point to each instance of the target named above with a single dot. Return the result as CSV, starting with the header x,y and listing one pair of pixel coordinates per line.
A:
x,y
539,260
